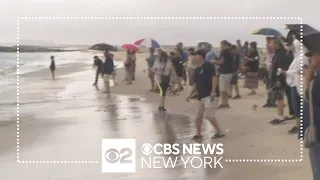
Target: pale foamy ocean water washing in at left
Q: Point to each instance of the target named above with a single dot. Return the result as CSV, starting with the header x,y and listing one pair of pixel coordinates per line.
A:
x,y
35,90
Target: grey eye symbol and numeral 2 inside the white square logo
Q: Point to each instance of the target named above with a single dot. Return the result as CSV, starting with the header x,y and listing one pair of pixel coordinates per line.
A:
x,y
122,156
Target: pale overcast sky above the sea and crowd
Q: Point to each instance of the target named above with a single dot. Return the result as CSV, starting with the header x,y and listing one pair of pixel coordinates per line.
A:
x,y
165,31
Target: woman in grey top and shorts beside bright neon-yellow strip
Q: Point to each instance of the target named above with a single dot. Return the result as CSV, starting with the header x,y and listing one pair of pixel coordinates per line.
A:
x,y
162,69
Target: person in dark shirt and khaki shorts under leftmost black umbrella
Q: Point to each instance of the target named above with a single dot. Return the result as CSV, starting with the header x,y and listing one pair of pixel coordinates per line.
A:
x,y
108,70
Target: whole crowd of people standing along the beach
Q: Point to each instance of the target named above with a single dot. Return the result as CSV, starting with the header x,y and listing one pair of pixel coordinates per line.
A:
x,y
213,74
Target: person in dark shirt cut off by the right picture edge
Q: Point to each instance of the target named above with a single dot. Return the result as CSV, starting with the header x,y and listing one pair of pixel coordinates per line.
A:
x,y
311,104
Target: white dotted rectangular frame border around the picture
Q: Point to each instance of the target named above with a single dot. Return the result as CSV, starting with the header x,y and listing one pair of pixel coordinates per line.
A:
x,y
162,18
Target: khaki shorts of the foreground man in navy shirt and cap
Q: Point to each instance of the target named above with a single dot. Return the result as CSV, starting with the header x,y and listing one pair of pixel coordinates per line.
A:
x,y
207,108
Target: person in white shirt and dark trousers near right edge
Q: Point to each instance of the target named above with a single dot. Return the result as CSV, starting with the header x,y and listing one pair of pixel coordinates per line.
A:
x,y
293,79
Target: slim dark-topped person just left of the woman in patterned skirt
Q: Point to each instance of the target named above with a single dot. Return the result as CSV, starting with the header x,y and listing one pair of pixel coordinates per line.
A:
x,y
236,67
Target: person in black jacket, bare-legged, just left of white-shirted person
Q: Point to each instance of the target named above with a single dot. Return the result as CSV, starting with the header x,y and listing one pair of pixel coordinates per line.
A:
x,y
277,79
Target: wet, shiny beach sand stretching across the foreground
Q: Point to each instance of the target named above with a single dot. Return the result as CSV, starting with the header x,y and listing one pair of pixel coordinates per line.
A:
x,y
70,124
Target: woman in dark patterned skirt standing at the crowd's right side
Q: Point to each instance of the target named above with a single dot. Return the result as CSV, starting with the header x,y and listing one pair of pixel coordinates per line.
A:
x,y
252,69
